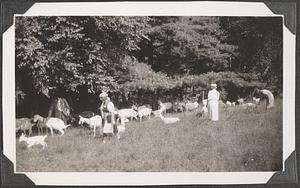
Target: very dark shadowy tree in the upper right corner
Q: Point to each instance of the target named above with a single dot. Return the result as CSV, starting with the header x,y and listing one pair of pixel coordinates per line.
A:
x,y
260,44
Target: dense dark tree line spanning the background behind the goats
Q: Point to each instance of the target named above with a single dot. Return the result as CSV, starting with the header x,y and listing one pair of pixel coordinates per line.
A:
x,y
78,57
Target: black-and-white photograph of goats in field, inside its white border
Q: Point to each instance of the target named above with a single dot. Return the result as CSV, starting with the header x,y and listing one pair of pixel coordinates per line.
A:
x,y
148,93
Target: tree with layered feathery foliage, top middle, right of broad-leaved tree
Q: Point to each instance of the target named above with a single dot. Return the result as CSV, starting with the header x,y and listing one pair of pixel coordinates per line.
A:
x,y
192,45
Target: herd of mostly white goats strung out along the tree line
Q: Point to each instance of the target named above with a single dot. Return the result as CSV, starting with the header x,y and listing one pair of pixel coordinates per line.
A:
x,y
25,125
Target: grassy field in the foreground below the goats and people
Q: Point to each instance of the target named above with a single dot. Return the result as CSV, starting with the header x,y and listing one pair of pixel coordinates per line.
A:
x,y
240,141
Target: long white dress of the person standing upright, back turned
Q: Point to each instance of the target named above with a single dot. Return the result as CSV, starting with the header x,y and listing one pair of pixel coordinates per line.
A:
x,y
213,104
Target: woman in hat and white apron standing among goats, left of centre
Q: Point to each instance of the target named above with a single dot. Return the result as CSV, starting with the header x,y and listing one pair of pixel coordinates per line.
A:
x,y
107,109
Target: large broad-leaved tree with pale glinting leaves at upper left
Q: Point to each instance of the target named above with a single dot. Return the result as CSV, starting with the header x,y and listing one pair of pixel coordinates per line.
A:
x,y
64,54
